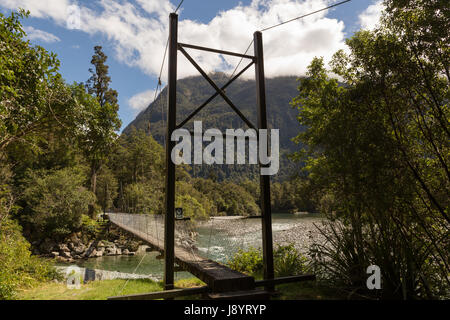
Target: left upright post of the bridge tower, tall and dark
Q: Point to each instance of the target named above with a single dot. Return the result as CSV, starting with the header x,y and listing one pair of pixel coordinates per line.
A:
x,y
169,222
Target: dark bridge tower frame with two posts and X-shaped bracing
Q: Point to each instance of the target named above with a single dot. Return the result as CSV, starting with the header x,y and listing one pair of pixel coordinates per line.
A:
x,y
169,223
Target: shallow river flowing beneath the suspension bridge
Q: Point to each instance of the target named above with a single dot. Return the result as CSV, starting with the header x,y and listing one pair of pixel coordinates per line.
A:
x,y
218,239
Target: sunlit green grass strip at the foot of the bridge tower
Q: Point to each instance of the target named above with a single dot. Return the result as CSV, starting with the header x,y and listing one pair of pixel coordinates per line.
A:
x,y
99,290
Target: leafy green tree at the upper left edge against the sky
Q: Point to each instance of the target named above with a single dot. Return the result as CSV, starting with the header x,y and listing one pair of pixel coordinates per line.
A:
x,y
33,97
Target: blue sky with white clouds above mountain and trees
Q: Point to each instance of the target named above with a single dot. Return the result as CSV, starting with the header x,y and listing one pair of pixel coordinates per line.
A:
x,y
133,35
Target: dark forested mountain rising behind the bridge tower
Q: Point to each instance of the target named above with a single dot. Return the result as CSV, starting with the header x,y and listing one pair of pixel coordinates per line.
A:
x,y
193,91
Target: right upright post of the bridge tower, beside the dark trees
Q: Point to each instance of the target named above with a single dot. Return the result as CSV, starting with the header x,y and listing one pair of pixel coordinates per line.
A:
x,y
266,210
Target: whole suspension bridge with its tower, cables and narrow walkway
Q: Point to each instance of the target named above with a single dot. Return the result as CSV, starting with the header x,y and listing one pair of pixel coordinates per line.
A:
x,y
221,281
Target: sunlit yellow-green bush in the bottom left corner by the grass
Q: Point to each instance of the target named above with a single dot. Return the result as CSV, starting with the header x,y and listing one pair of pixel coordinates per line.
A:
x,y
18,269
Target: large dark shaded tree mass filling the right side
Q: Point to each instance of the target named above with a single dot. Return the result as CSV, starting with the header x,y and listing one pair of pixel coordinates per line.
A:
x,y
376,150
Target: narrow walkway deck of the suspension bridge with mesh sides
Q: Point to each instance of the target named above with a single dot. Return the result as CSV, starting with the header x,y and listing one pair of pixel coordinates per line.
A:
x,y
221,281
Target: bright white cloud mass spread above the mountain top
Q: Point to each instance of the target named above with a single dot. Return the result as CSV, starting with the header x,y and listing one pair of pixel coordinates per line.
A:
x,y
139,32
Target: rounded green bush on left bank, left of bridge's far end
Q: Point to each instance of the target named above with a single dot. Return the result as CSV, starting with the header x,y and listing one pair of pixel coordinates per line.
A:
x,y
55,201
